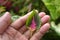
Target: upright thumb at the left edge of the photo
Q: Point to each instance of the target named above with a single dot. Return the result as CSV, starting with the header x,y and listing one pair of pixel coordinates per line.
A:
x,y
5,20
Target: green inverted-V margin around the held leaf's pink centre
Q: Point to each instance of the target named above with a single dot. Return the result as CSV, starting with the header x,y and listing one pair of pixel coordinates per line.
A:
x,y
36,18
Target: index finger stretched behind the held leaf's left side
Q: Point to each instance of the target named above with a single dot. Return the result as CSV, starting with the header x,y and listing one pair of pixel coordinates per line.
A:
x,y
20,22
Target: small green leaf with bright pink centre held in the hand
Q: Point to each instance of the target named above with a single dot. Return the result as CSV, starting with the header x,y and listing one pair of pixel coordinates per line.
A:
x,y
33,21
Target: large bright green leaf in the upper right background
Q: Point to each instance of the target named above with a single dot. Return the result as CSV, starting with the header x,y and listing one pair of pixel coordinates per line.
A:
x,y
52,6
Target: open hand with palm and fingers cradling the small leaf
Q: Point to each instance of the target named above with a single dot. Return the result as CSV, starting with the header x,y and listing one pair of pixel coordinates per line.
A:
x,y
17,29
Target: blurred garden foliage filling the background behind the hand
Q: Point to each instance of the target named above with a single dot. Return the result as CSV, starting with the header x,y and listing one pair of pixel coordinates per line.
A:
x,y
19,8
